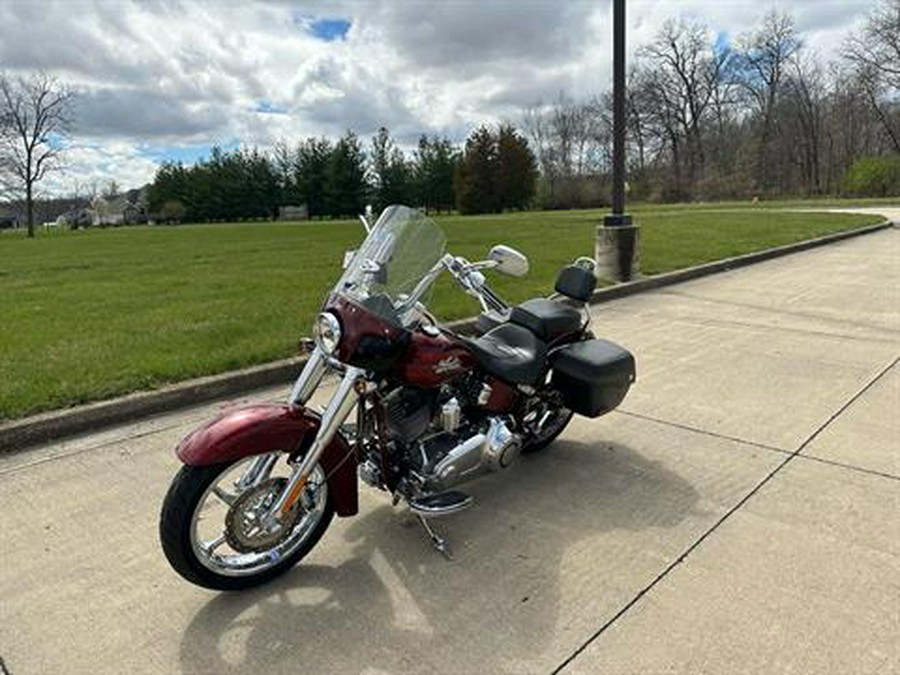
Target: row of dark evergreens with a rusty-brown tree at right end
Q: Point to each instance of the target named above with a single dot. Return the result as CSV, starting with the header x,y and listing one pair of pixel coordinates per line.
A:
x,y
494,171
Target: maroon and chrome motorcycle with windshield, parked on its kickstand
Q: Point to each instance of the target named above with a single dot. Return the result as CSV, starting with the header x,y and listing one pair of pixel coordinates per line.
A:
x,y
433,409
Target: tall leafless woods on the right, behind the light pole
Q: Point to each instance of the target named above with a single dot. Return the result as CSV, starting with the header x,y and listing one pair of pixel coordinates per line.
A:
x,y
761,116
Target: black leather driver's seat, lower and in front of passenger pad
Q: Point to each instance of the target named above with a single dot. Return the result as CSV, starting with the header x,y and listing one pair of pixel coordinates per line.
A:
x,y
511,353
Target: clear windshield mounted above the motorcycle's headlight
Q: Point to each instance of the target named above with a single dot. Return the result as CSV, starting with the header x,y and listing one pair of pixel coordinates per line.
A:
x,y
403,246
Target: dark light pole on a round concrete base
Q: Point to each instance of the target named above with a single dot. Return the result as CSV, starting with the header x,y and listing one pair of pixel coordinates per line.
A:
x,y
617,238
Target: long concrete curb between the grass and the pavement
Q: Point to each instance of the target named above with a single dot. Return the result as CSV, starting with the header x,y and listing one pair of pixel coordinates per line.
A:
x,y
58,424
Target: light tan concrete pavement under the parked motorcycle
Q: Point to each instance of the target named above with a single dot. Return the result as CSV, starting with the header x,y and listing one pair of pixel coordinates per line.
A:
x,y
739,514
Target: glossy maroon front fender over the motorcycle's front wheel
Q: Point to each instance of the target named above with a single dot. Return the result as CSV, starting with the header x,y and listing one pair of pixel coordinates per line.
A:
x,y
258,429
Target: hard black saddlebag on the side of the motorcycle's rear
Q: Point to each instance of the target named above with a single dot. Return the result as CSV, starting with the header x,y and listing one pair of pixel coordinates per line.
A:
x,y
592,376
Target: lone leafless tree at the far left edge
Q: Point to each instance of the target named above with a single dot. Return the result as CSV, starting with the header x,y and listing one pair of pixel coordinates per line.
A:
x,y
35,116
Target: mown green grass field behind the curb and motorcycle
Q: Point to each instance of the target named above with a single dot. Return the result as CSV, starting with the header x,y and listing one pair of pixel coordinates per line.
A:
x,y
91,314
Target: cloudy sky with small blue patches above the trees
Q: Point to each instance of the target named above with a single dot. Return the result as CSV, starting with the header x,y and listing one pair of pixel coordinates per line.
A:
x,y
167,80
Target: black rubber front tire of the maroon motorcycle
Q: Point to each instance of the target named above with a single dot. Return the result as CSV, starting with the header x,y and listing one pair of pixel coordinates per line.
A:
x,y
178,532
